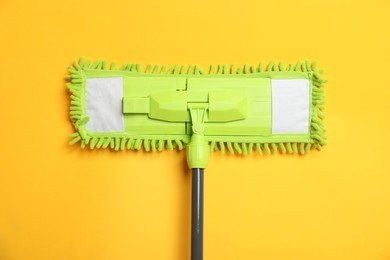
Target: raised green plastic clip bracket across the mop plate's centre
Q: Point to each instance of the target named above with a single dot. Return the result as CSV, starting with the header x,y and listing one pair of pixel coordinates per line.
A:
x,y
171,106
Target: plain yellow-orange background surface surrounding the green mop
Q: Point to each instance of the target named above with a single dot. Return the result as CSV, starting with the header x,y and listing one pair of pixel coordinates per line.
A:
x,y
62,202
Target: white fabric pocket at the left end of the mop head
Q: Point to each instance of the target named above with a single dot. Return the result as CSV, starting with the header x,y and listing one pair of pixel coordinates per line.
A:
x,y
104,104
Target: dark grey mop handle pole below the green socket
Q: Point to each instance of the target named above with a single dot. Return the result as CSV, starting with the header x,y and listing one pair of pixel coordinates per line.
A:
x,y
197,215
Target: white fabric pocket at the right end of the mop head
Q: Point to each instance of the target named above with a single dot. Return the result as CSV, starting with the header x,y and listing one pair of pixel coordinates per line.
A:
x,y
290,106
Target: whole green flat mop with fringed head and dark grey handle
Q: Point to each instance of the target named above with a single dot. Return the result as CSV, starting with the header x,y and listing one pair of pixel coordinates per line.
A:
x,y
239,110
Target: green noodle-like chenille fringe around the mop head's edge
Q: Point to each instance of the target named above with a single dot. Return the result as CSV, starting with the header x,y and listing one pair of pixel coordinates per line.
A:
x,y
77,110
